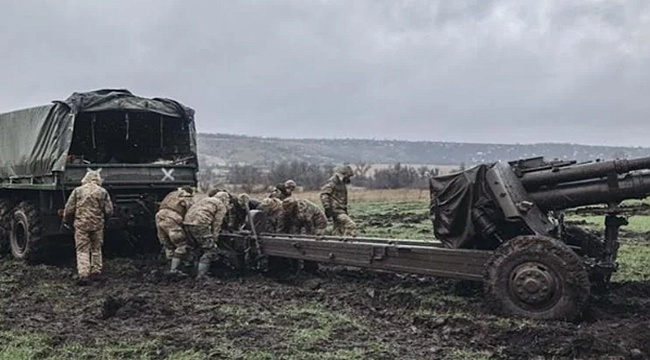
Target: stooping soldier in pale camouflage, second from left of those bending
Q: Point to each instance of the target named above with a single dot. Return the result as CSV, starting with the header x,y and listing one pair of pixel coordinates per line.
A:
x,y
203,223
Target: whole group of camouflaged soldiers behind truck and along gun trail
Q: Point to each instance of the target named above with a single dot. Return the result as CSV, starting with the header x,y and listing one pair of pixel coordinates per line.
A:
x,y
188,223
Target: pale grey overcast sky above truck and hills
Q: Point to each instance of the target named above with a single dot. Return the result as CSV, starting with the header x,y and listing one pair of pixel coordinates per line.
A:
x,y
455,70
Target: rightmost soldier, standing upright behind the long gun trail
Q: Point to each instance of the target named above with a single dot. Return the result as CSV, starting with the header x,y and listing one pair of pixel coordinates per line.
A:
x,y
334,196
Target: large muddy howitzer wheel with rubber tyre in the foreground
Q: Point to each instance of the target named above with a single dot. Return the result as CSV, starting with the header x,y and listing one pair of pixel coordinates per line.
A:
x,y
536,277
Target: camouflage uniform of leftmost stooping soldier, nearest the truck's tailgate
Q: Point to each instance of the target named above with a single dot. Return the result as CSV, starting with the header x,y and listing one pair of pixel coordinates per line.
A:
x,y
169,220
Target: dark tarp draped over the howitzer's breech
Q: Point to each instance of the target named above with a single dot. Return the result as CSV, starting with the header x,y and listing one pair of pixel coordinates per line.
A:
x,y
452,198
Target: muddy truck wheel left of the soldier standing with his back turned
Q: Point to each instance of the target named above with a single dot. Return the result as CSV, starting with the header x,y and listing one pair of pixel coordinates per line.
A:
x,y
25,236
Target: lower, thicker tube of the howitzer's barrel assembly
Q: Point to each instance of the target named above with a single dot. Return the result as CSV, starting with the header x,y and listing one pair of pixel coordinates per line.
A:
x,y
594,192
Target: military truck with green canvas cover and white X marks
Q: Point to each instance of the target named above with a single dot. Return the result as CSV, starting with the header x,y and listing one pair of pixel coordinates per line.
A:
x,y
142,147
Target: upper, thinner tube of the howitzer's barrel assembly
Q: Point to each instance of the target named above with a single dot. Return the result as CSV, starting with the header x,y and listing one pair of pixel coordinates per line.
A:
x,y
536,179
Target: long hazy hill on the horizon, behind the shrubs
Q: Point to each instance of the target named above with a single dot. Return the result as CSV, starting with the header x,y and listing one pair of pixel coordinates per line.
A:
x,y
223,150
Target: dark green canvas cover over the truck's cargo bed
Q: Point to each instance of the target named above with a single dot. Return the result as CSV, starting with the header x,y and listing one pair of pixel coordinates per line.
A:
x,y
35,141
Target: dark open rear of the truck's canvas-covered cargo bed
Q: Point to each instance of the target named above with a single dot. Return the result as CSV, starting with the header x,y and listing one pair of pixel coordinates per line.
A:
x,y
129,137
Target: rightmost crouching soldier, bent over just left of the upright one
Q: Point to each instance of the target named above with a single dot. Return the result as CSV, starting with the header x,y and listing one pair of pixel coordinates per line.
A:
x,y
303,216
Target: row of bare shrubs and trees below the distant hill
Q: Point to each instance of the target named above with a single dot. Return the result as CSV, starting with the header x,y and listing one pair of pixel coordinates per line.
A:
x,y
312,176
